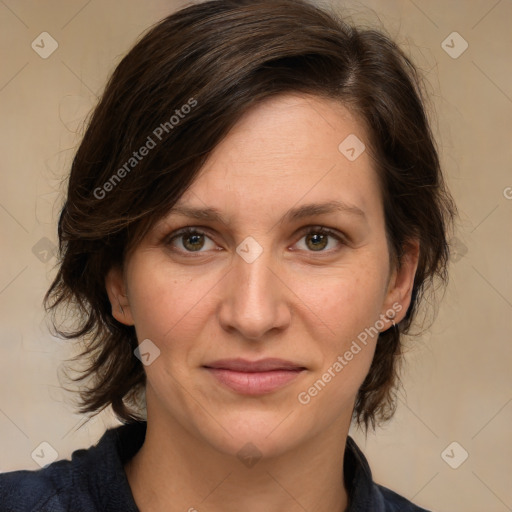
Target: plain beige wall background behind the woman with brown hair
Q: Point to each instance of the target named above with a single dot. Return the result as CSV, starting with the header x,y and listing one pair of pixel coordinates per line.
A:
x,y
458,375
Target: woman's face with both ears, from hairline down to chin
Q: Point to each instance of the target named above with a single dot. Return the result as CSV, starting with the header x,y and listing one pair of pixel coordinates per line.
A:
x,y
253,285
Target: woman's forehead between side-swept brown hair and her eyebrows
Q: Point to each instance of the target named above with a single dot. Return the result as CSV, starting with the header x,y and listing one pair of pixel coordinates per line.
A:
x,y
289,149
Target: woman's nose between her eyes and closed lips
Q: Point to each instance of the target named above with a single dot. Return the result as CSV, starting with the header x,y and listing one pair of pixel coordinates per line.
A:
x,y
255,302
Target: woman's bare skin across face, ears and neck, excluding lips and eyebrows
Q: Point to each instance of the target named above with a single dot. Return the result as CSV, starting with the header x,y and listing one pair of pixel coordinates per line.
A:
x,y
292,302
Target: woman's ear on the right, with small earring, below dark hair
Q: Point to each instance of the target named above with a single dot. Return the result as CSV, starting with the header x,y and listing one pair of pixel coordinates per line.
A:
x,y
401,281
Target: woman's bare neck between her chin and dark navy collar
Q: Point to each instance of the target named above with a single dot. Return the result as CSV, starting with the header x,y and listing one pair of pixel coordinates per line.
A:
x,y
174,471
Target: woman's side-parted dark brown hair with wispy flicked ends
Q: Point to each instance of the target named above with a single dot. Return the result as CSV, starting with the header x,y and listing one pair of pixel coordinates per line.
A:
x,y
221,58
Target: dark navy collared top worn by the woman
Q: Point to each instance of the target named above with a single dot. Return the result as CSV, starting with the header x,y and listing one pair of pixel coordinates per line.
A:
x,y
94,480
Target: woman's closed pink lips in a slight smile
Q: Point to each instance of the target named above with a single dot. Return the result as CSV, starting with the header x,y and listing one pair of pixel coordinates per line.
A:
x,y
254,377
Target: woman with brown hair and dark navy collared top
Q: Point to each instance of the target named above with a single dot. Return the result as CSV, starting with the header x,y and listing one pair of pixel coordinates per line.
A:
x,y
252,218
